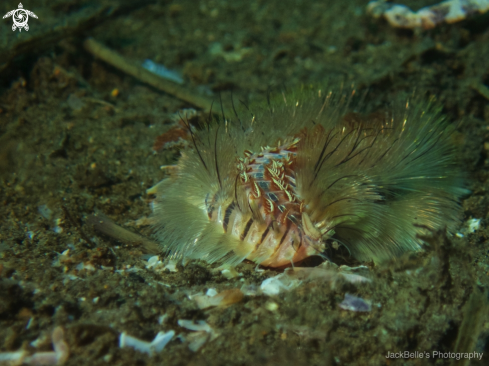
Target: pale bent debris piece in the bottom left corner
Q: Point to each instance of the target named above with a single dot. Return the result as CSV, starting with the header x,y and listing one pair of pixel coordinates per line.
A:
x,y
57,357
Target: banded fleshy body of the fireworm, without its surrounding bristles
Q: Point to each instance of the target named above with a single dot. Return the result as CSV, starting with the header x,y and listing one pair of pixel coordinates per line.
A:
x,y
274,235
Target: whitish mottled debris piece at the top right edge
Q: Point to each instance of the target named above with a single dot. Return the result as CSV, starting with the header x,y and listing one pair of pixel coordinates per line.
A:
x,y
449,11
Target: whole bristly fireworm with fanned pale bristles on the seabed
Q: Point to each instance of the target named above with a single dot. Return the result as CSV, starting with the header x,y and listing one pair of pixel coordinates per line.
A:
x,y
372,183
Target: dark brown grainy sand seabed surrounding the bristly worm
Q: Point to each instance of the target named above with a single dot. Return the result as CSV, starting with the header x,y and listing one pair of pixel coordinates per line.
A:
x,y
71,146
